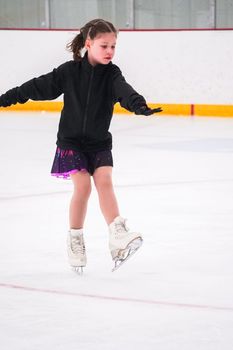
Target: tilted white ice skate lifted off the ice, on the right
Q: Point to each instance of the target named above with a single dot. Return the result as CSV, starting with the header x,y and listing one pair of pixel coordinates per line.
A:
x,y
122,243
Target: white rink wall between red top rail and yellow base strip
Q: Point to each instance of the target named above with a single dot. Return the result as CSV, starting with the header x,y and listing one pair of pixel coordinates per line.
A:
x,y
164,66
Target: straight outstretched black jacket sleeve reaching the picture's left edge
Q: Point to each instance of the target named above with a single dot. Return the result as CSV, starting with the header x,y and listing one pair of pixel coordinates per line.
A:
x,y
45,87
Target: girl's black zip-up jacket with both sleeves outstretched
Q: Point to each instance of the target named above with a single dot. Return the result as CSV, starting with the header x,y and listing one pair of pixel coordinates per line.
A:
x,y
89,97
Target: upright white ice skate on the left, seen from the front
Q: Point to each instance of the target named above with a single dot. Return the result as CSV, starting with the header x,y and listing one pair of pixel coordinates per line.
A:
x,y
76,250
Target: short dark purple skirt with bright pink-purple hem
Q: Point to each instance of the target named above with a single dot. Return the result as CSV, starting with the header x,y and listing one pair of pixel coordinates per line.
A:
x,y
67,162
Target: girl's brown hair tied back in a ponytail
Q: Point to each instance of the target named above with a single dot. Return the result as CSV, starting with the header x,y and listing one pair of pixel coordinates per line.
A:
x,y
90,30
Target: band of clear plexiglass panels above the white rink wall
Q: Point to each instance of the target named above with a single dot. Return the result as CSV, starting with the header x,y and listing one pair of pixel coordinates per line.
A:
x,y
133,14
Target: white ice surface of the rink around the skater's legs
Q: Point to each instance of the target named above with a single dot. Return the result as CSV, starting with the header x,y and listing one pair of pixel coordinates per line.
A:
x,y
174,182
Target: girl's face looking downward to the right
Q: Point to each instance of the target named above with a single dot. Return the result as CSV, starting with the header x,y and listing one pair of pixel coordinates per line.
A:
x,y
101,49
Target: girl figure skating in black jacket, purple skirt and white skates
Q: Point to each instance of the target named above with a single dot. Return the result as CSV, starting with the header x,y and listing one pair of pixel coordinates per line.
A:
x,y
91,85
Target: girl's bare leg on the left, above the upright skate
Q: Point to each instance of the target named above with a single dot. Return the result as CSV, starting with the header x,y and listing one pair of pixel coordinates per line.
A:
x,y
79,200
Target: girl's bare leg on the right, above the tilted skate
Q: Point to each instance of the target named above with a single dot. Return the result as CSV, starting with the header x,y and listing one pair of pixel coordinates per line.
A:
x,y
107,199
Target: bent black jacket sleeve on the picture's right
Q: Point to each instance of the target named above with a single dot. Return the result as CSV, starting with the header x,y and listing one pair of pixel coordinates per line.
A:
x,y
124,93
